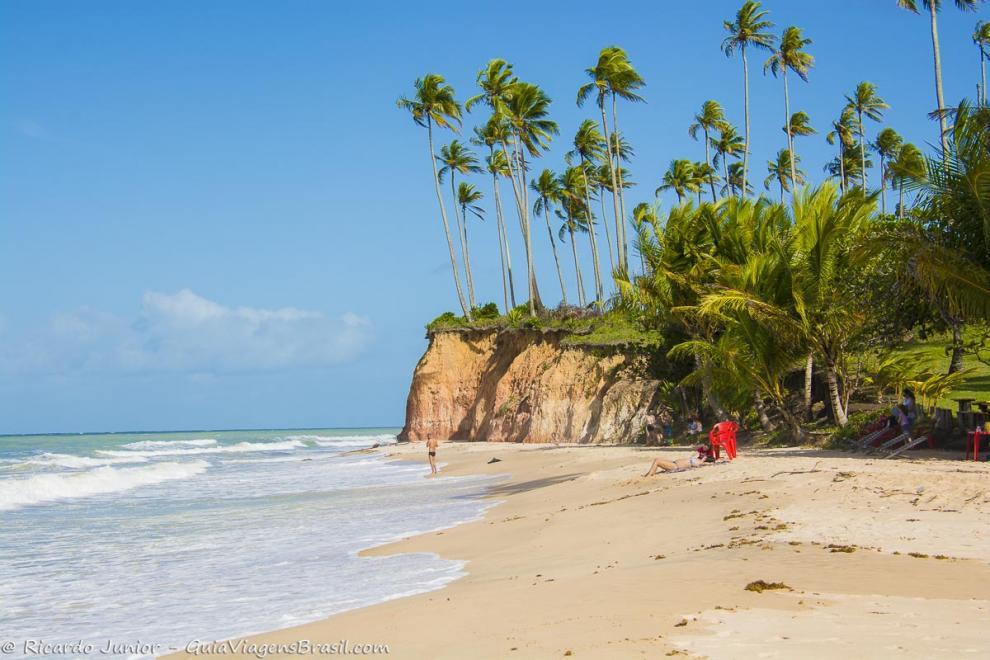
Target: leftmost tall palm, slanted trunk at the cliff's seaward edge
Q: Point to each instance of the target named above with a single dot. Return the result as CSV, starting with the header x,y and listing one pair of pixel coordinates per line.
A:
x,y
433,103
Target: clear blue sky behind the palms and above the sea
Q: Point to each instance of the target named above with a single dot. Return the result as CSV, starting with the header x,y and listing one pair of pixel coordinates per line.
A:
x,y
212,215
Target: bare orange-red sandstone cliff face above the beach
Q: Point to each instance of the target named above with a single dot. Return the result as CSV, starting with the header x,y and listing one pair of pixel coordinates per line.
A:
x,y
524,387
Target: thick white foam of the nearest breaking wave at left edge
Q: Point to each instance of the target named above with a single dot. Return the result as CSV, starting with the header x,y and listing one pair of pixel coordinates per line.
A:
x,y
15,493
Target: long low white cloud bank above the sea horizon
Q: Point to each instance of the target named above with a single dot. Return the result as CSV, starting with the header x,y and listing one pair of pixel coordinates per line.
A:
x,y
184,332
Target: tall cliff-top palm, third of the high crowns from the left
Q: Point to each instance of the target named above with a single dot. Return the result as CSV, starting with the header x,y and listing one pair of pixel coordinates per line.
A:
x,y
527,110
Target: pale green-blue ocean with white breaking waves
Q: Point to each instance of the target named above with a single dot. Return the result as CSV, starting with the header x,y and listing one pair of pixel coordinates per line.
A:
x,y
170,537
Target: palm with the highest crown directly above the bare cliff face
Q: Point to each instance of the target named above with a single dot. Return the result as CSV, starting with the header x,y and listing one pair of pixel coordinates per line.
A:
x,y
613,76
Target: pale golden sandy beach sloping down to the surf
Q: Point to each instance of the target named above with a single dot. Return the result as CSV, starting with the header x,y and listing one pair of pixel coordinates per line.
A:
x,y
583,556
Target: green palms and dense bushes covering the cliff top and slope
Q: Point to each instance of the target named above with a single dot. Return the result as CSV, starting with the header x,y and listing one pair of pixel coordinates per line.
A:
x,y
753,301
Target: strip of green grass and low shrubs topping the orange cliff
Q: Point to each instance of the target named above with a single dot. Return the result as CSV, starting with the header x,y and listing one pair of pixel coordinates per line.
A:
x,y
582,327
